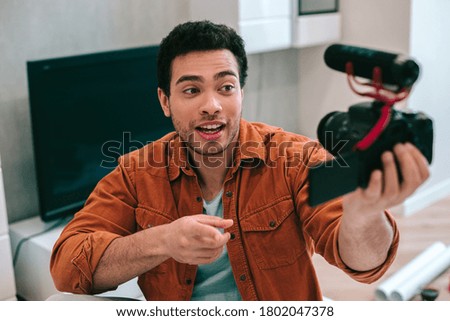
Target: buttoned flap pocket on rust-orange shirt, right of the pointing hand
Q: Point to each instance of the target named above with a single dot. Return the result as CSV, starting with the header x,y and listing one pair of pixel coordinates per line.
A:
x,y
272,235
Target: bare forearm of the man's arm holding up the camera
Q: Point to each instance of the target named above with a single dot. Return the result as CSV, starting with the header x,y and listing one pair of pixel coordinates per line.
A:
x,y
364,241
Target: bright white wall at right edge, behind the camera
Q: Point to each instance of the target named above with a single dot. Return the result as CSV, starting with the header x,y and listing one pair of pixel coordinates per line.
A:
x,y
430,45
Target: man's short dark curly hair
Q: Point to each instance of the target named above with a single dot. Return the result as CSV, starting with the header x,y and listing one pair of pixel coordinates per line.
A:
x,y
198,36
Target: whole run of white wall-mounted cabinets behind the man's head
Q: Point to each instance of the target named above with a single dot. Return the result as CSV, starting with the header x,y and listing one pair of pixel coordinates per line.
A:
x,y
268,25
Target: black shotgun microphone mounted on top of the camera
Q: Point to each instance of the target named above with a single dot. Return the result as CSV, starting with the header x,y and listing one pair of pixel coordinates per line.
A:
x,y
397,70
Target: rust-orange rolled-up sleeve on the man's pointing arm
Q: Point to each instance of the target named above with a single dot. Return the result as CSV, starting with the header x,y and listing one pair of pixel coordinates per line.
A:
x,y
109,213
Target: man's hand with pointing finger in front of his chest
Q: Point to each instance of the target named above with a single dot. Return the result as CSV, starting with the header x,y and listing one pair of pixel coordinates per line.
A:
x,y
196,239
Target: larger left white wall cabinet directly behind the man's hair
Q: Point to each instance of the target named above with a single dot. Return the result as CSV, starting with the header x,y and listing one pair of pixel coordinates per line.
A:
x,y
265,25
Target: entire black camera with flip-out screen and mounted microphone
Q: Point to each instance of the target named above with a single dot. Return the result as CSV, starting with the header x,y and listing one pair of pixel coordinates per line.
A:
x,y
357,138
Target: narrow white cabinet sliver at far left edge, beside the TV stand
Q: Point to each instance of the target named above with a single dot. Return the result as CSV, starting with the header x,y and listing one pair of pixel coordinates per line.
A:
x,y
7,281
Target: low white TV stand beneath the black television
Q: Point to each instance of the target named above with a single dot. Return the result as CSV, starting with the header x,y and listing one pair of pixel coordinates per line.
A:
x,y
33,279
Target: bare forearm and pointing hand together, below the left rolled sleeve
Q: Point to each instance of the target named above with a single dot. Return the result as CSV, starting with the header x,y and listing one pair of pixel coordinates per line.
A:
x,y
191,239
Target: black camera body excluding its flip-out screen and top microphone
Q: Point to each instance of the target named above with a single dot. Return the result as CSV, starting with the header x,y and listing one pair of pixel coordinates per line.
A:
x,y
350,127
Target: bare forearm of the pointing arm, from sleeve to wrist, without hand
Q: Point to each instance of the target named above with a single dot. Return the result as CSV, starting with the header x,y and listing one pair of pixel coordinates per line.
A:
x,y
128,257
